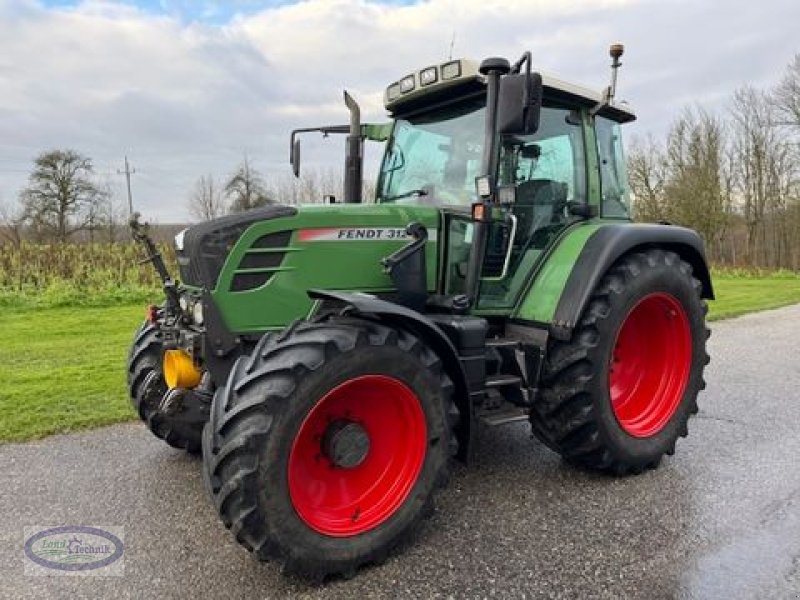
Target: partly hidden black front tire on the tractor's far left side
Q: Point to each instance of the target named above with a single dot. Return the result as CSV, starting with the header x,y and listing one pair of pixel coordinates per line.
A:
x,y
147,387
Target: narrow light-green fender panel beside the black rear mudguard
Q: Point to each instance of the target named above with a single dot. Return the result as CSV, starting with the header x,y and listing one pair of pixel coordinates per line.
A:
x,y
540,303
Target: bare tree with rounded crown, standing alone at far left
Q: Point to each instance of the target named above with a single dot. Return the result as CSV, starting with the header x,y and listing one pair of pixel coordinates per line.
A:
x,y
61,196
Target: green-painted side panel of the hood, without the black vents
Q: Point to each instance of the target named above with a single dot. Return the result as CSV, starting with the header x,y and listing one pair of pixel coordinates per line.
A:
x,y
317,258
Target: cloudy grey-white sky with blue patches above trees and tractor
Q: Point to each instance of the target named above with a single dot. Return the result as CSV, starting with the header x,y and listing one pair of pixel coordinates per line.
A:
x,y
187,88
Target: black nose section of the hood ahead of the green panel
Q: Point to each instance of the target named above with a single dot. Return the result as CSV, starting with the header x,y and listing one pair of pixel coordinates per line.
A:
x,y
202,249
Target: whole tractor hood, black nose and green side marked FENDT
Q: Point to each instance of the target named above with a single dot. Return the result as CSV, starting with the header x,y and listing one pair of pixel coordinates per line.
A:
x,y
259,266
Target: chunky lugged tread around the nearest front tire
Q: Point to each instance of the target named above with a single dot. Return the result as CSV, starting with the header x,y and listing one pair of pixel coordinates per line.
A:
x,y
241,421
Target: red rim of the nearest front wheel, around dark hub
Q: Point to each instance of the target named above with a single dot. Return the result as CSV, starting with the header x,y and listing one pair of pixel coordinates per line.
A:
x,y
345,501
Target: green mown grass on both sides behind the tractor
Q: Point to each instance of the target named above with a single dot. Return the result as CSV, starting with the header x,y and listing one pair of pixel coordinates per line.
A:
x,y
64,368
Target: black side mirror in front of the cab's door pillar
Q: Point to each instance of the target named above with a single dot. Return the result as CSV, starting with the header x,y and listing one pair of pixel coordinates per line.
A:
x,y
519,104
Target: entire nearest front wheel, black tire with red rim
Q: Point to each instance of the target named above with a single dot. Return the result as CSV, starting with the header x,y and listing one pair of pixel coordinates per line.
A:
x,y
327,444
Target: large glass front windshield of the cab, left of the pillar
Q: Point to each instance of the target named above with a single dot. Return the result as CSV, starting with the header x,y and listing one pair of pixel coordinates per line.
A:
x,y
434,158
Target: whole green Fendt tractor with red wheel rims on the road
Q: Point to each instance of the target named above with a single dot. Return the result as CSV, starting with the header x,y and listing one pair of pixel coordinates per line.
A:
x,y
331,361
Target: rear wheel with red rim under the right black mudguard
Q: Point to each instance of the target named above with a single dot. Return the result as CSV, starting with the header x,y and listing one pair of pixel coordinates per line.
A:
x,y
618,396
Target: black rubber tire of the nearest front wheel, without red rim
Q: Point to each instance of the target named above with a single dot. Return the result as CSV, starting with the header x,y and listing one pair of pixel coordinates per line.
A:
x,y
257,415
